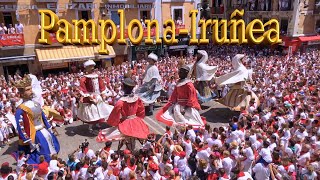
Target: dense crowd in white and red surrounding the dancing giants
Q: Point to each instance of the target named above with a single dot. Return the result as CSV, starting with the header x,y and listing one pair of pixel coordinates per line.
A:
x,y
277,139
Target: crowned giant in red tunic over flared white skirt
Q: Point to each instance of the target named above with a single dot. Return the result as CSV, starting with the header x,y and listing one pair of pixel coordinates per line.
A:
x,y
183,106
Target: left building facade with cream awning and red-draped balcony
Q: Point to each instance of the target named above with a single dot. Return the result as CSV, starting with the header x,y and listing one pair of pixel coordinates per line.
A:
x,y
19,47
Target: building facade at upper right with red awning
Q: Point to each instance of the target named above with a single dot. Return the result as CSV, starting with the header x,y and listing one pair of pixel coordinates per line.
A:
x,y
299,19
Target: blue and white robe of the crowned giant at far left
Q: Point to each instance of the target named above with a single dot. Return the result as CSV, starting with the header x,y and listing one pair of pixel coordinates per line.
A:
x,y
33,128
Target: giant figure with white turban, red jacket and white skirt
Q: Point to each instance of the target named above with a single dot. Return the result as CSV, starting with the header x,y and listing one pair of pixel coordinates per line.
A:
x,y
92,108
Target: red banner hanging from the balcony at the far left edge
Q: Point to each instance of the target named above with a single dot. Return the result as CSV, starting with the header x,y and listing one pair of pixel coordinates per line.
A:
x,y
11,40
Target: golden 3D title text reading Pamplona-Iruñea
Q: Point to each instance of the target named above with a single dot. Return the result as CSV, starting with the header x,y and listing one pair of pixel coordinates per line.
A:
x,y
79,31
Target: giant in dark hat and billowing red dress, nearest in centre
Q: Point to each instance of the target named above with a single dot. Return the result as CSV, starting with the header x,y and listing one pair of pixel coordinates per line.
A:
x,y
126,119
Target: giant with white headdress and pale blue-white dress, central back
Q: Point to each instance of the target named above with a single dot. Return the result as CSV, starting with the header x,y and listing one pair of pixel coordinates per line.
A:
x,y
151,86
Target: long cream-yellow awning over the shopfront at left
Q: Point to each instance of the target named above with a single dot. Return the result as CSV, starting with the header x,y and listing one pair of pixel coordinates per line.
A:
x,y
70,53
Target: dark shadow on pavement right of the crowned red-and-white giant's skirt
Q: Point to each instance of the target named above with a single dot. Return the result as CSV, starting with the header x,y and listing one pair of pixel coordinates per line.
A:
x,y
219,115
